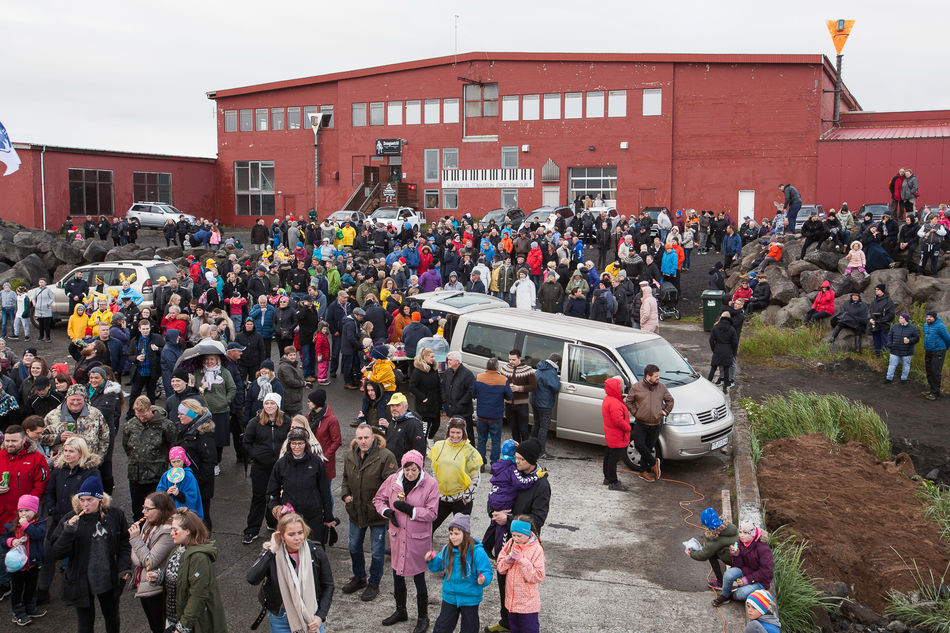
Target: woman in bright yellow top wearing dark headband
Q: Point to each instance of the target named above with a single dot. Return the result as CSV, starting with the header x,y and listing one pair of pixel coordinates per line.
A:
x,y
457,467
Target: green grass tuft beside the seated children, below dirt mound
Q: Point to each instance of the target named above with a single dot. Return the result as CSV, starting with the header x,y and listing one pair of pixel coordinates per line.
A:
x,y
796,592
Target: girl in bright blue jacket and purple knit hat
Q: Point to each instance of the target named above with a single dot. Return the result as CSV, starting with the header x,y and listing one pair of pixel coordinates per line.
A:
x,y
467,573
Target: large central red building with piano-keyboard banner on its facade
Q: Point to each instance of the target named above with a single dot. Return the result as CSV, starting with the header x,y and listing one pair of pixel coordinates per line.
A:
x,y
482,130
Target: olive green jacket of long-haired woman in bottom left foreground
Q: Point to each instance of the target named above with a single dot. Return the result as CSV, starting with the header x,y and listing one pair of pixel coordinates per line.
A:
x,y
199,607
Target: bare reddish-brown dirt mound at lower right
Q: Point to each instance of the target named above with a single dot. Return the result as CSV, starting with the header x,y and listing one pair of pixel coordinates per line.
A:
x,y
856,513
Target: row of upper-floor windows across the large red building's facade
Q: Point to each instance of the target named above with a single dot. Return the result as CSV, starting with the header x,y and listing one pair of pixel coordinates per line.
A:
x,y
481,100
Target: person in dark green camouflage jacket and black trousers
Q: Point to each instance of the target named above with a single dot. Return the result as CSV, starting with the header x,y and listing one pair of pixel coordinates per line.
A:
x,y
147,437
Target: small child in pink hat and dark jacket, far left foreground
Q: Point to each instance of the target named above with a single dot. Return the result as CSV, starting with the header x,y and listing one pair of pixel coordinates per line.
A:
x,y
28,530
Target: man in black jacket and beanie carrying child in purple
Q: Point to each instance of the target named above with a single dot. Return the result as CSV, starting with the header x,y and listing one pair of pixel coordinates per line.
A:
x,y
533,502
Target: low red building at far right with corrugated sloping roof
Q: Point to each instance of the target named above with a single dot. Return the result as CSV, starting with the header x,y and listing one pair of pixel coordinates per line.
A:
x,y
857,160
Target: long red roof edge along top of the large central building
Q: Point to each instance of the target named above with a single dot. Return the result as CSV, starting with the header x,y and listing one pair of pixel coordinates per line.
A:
x,y
482,56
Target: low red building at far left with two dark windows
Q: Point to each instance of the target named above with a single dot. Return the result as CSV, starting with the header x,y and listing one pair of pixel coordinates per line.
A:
x,y
54,182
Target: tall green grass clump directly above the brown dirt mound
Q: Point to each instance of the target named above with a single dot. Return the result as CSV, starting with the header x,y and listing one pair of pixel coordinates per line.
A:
x,y
840,419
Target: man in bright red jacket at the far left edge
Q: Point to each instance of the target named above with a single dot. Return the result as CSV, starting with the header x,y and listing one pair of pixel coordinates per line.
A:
x,y
23,472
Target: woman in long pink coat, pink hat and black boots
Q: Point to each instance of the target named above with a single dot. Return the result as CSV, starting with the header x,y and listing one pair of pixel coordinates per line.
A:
x,y
409,498
